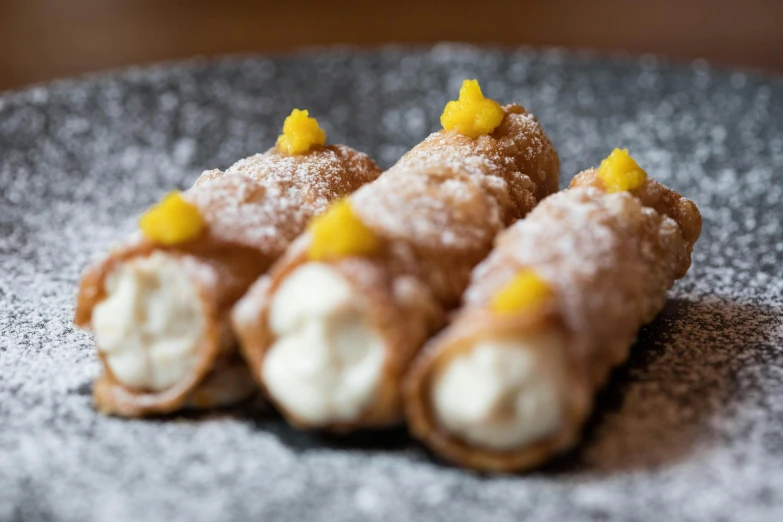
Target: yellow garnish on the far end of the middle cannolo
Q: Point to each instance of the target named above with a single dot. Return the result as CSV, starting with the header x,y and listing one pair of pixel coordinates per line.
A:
x,y
472,115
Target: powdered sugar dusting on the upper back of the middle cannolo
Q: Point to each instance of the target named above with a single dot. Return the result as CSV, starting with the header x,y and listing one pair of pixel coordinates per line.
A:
x,y
458,192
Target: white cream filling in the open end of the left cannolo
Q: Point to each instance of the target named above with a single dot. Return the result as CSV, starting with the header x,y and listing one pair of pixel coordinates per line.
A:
x,y
150,324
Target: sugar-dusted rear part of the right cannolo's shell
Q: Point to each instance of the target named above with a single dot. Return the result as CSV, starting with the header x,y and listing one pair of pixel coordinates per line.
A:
x,y
608,259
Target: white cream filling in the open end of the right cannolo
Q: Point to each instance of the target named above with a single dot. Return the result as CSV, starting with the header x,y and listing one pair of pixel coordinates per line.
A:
x,y
502,393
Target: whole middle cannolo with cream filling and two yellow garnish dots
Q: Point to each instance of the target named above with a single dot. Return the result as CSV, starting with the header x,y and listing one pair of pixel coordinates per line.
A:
x,y
329,334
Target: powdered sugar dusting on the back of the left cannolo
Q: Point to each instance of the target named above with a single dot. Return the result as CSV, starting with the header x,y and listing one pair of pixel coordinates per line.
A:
x,y
265,201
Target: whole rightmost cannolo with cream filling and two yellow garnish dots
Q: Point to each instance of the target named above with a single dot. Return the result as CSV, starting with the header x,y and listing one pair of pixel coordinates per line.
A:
x,y
555,306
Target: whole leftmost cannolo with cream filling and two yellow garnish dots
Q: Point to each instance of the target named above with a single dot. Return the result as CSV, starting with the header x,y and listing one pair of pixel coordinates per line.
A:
x,y
159,304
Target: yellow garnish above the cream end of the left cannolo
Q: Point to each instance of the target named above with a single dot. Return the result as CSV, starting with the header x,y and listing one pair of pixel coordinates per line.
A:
x,y
172,221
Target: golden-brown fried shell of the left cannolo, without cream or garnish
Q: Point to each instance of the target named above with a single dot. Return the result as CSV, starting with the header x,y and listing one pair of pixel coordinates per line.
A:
x,y
253,211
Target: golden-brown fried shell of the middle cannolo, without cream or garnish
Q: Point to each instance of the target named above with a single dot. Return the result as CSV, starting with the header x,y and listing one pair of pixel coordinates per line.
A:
x,y
436,213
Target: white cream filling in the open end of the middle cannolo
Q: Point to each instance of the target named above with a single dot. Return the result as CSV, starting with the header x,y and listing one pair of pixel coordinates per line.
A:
x,y
327,359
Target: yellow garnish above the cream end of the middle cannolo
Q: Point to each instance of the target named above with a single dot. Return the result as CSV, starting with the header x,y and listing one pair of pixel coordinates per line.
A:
x,y
339,233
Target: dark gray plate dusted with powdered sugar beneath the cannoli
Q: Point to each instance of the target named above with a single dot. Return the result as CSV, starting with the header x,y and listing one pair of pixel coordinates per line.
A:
x,y
690,429
